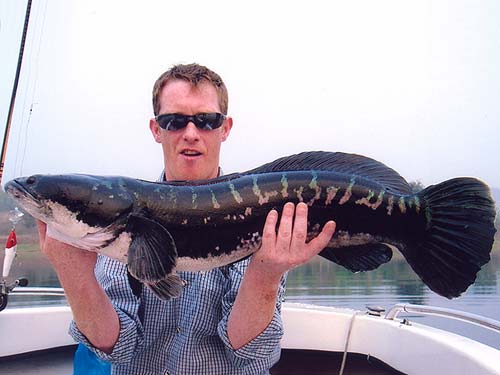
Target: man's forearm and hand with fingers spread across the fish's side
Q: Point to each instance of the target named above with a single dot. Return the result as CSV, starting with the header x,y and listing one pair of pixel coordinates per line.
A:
x,y
255,303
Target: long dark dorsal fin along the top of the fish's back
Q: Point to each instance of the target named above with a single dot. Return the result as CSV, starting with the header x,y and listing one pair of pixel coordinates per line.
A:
x,y
339,162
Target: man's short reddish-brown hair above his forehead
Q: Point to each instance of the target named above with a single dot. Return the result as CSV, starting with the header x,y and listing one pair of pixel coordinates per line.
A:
x,y
193,73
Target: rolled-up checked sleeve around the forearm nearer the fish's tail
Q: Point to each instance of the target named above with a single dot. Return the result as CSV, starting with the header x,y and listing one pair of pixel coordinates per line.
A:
x,y
266,346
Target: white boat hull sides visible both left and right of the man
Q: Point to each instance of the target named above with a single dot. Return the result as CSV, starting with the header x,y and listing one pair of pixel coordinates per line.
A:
x,y
410,349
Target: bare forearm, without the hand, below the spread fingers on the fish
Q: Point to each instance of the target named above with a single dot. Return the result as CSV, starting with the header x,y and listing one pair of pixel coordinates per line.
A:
x,y
254,306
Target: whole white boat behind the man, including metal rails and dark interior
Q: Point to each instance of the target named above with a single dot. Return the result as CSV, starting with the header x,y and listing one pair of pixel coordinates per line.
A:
x,y
317,340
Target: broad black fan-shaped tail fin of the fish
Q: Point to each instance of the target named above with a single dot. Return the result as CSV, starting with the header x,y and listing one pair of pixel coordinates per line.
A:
x,y
459,235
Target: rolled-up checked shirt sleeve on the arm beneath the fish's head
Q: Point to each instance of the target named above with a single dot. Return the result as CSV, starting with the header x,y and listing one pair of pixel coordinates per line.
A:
x,y
112,276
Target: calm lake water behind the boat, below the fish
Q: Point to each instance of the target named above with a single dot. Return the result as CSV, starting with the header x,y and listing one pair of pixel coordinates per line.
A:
x,y
321,282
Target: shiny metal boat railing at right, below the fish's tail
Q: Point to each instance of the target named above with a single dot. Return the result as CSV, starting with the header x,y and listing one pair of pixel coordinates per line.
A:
x,y
478,320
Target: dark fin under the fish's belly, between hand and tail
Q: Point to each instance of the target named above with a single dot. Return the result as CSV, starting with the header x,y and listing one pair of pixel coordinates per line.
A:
x,y
358,258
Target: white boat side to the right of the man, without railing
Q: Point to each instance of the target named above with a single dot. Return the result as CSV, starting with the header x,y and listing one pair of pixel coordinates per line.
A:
x,y
411,349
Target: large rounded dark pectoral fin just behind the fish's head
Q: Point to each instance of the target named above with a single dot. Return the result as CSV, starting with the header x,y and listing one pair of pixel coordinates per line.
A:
x,y
152,253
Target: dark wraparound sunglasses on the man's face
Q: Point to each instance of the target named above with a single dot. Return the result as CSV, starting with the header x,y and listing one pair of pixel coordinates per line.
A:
x,y
203,121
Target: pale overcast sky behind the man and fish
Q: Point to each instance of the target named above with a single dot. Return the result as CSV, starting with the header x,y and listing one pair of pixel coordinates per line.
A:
x,y
415,85
